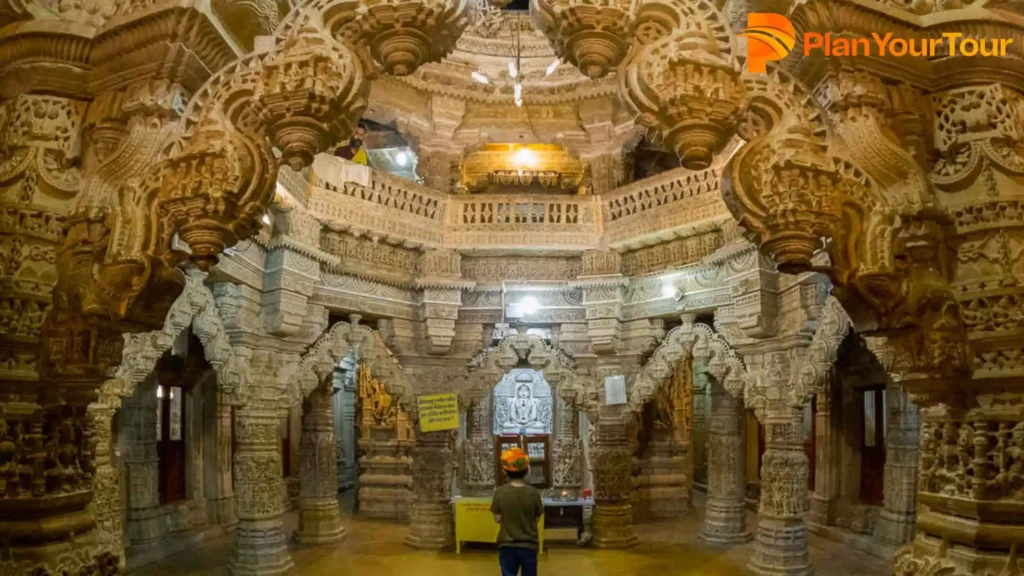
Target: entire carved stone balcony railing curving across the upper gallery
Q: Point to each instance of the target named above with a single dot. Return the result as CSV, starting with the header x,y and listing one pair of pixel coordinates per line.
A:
x,y
366,202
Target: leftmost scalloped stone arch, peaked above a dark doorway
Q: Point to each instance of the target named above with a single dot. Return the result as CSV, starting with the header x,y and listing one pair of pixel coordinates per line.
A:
x,y
194,308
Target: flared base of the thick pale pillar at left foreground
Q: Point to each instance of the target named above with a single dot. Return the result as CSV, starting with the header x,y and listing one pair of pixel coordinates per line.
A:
x,y
261,550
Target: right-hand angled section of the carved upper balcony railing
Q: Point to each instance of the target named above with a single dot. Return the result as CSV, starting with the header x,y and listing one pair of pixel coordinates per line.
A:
x,y
672,204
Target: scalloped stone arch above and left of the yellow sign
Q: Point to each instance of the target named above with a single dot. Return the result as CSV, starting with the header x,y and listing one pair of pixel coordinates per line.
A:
x,y
368,347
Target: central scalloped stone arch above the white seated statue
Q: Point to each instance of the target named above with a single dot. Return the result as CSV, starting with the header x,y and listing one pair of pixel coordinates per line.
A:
x,y
488,367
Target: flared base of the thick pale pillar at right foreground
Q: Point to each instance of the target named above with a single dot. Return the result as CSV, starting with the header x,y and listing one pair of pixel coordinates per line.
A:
x,y
781,549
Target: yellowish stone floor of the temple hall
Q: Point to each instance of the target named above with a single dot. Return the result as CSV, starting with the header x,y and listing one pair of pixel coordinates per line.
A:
x,y
375,549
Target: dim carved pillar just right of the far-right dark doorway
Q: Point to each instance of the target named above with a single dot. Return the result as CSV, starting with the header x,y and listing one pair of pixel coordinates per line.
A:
x,y
897,521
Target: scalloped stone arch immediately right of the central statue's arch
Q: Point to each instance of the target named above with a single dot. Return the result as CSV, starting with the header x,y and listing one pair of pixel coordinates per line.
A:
x,y
706,346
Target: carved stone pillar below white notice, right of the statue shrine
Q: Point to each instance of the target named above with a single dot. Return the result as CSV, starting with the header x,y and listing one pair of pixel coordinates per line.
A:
x,y
613,469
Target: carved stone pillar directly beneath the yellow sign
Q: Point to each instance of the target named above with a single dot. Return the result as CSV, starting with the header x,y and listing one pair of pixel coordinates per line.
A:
x,y
432,523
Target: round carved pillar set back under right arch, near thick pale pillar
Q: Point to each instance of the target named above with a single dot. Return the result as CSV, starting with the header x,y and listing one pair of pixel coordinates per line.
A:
x,y
726,517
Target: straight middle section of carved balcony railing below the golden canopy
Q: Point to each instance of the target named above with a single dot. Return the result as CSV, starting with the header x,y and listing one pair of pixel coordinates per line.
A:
x,y
541,222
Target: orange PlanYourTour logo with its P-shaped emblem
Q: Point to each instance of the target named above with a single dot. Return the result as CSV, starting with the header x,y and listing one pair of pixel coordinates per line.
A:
x,y
771,37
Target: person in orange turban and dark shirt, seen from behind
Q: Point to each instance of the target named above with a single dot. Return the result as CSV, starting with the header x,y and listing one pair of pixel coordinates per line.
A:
x,y
518,509
